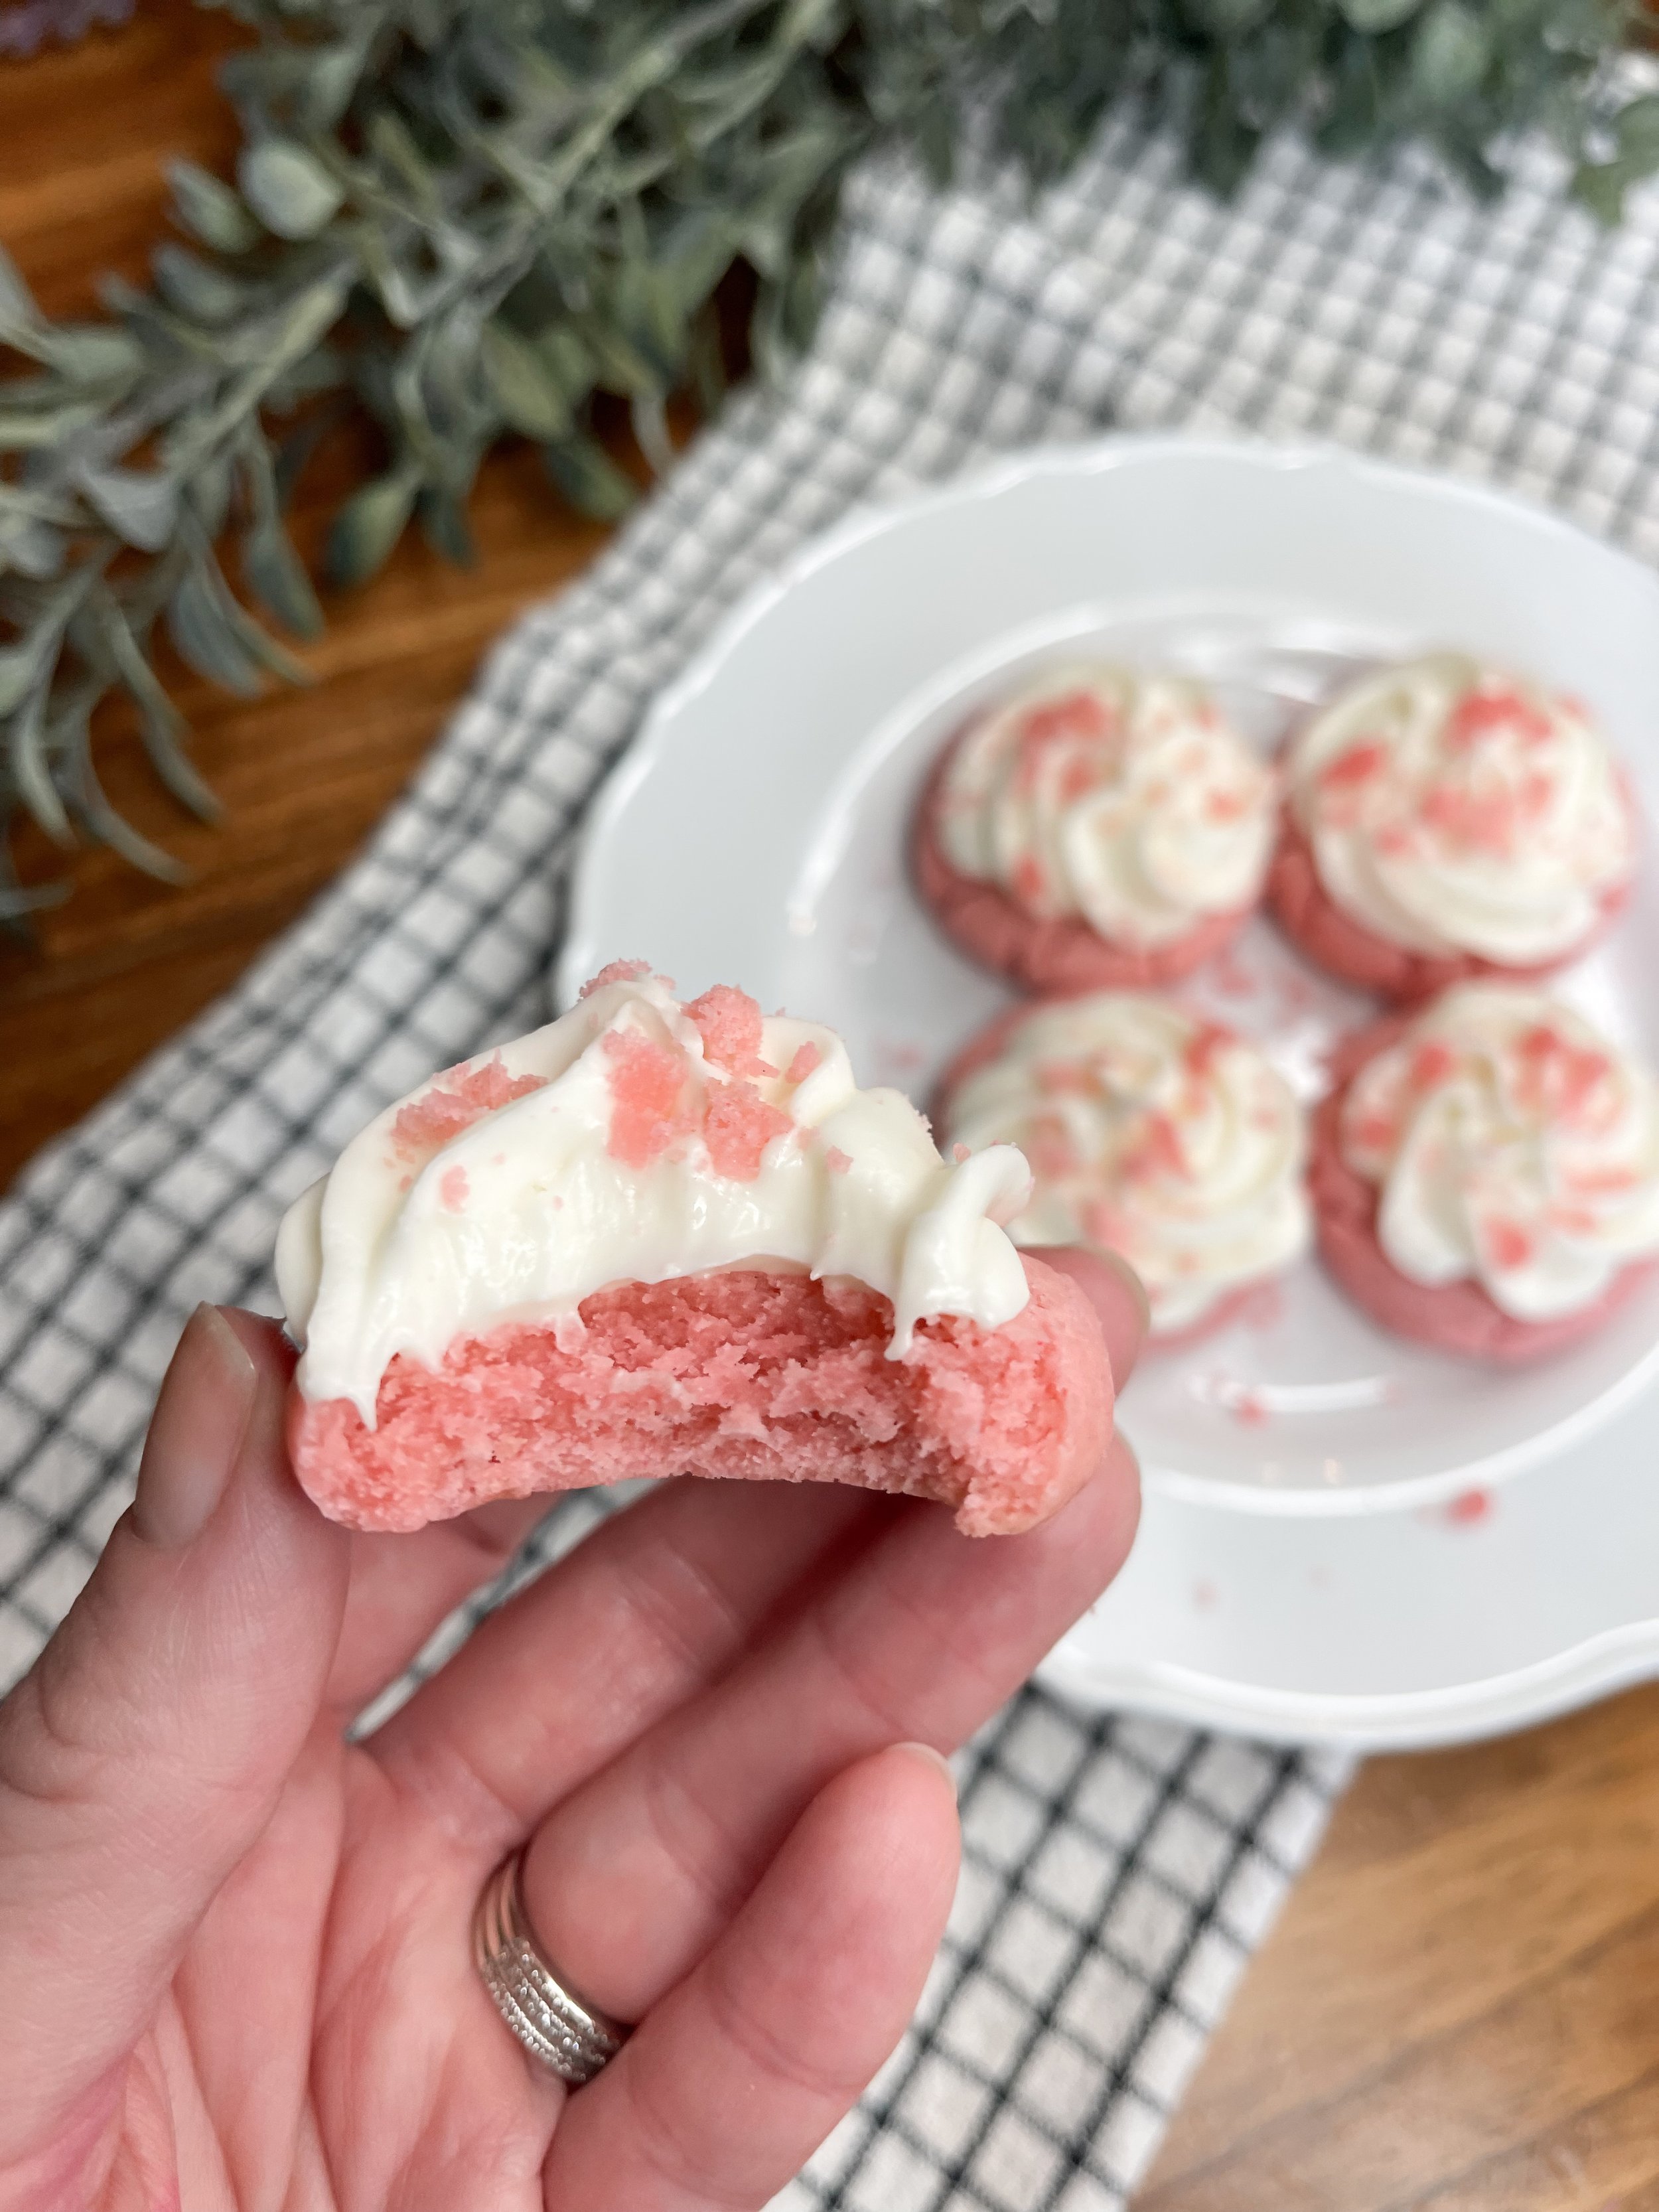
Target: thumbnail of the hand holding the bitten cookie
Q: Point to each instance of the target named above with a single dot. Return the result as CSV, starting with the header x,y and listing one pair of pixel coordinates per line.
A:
x,y
196,1432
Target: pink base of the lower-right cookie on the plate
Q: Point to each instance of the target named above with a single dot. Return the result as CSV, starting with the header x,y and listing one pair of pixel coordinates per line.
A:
x,y
1452,1317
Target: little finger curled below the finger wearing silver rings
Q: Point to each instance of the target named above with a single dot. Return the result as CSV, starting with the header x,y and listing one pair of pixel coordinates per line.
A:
x,y
742,2072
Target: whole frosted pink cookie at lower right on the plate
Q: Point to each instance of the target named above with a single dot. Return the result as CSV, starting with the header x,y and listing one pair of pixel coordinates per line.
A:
x,y
1485,1173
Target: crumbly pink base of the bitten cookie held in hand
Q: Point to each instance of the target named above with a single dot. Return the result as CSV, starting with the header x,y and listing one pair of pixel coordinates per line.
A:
x,y
733,1375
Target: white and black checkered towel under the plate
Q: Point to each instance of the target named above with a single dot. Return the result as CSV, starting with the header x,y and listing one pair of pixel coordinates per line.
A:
x,y
1118,1870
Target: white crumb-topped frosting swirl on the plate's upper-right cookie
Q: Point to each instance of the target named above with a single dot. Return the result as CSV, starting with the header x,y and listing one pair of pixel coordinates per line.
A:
x,y
1454,808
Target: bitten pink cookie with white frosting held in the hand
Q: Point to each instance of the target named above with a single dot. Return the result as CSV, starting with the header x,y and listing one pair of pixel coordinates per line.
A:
x,y
678,1240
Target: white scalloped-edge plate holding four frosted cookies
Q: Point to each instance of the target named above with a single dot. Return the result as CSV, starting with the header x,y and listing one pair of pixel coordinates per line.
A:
x,y
1300,1465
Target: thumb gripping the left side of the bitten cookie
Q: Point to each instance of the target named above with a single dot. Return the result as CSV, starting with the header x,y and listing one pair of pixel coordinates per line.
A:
x,y
149,1746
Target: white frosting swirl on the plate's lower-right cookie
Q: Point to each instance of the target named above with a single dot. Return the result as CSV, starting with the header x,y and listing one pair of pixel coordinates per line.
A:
x,y
1514,1145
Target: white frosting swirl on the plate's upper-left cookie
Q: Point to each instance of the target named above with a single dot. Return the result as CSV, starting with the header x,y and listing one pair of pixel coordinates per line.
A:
x,y
1116,797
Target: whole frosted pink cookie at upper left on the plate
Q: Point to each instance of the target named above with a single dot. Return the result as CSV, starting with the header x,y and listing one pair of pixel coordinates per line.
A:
x,y
1098,831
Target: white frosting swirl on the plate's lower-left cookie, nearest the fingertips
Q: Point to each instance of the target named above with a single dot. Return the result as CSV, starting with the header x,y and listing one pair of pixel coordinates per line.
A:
x,y
1154,1134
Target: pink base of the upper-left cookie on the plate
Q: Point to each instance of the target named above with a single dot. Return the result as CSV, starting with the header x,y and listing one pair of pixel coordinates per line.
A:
x,y
1056,957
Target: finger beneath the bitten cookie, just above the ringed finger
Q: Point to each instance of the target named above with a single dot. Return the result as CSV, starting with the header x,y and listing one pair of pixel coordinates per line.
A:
x,y
651,1609
